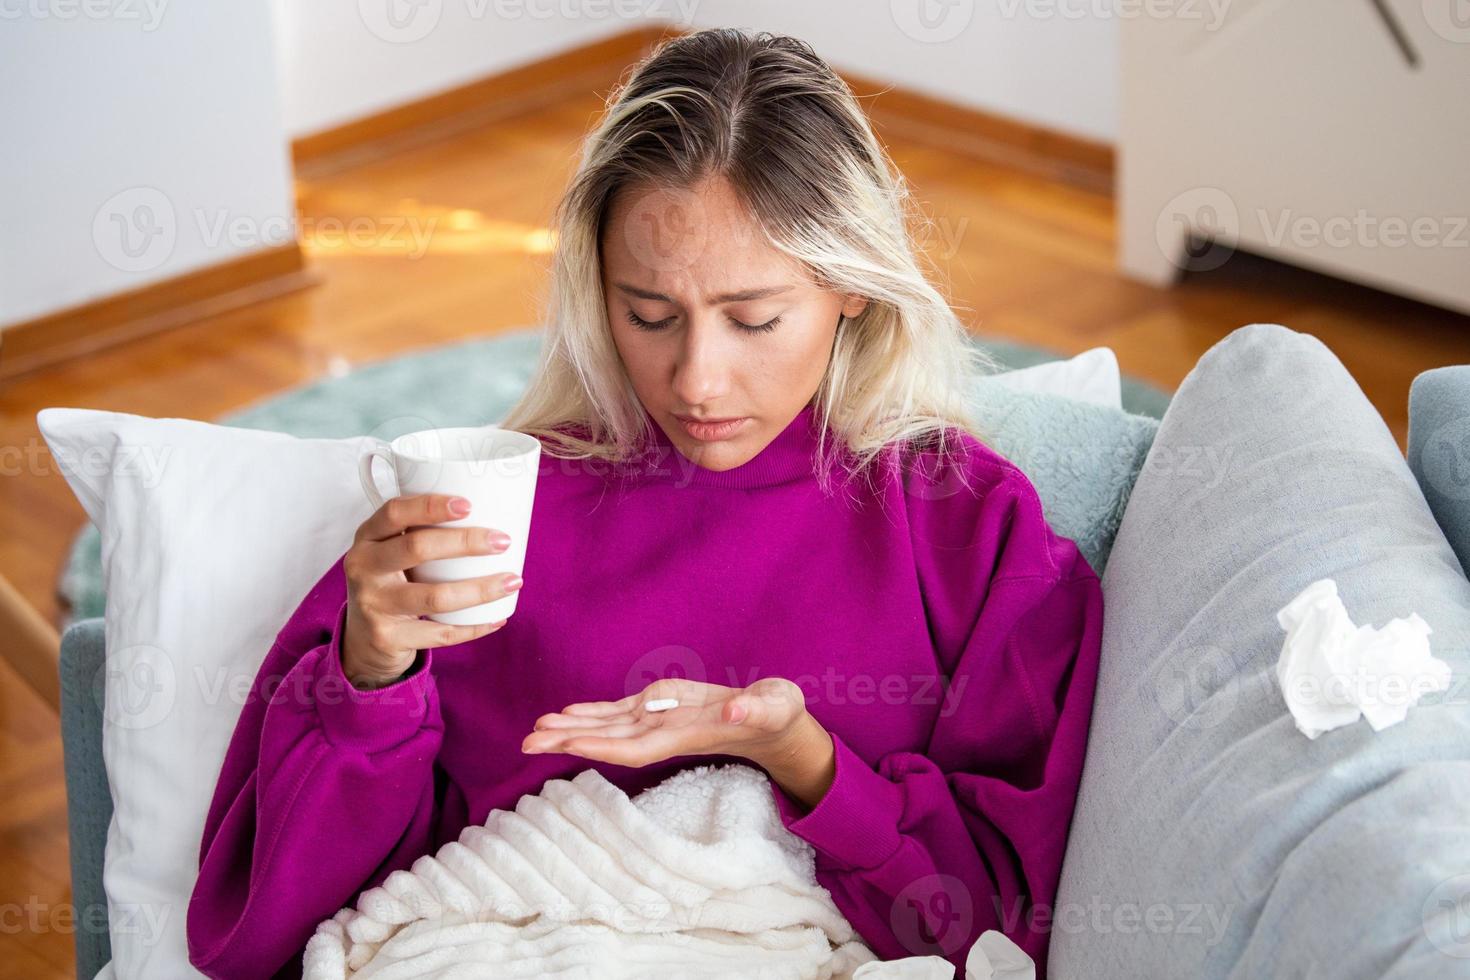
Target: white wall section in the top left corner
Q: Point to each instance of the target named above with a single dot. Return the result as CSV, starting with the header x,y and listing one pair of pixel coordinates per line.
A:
x,y
142,142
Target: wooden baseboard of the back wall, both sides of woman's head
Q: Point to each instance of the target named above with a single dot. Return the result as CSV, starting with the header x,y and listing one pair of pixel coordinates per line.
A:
x,y
981,134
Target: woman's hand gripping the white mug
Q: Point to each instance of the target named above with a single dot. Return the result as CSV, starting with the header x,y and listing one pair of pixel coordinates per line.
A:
x,y
384,633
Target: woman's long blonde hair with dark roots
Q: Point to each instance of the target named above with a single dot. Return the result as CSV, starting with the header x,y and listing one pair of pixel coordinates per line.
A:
x,y
771,117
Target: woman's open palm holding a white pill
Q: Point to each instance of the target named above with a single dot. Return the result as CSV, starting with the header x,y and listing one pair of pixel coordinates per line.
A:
x,y
767,724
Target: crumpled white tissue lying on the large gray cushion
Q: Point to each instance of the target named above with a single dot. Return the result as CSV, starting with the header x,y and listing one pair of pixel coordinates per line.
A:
x,y
1333,672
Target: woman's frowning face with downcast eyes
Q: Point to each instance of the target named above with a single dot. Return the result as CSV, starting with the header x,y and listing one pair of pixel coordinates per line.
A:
x,y
712,323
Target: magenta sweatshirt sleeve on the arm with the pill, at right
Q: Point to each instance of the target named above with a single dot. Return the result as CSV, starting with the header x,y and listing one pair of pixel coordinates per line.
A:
x,y
927,850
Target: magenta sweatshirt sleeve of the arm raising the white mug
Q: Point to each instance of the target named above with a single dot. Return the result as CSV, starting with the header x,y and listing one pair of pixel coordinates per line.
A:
x,y
324,791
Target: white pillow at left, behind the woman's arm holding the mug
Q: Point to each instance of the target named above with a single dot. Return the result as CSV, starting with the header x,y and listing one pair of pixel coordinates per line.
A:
x,y
211,537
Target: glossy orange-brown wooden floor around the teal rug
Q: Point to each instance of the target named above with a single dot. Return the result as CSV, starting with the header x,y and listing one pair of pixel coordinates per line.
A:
x,y
1025,258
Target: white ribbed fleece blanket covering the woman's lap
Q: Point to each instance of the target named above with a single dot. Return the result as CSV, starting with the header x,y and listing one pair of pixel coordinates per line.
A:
x,y
695,878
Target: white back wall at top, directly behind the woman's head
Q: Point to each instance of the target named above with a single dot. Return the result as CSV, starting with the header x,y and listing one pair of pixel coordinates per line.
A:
x,y
1049,62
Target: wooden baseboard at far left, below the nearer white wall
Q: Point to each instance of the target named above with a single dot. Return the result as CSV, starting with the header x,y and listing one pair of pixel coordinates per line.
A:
x,y
186,299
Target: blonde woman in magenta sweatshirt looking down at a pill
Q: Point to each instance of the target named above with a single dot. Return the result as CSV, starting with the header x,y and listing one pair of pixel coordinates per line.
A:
x,y
761,494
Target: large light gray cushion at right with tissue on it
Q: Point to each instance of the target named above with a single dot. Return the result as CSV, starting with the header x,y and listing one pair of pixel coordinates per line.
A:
x,y
1212,838
